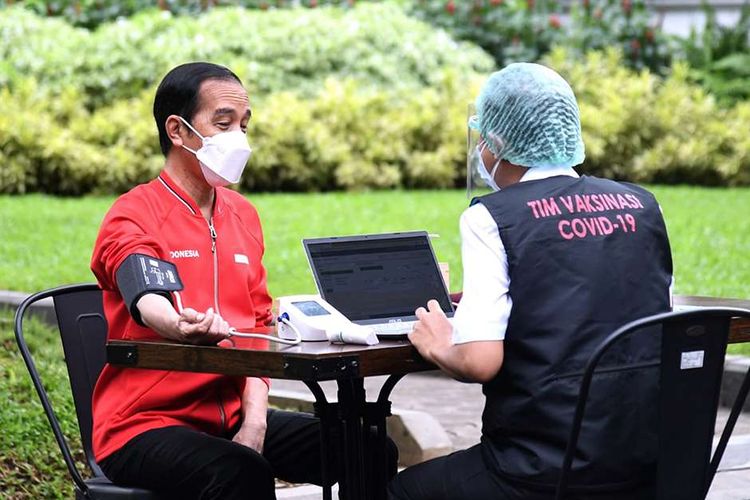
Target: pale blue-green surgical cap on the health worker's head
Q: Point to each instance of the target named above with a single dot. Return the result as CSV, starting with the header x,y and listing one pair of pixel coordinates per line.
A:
x,y
528,115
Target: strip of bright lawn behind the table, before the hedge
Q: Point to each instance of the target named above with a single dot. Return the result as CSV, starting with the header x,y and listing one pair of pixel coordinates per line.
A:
x,y
47,241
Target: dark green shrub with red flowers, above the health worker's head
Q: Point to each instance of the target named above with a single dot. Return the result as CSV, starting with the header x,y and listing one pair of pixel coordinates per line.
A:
x,y
525,30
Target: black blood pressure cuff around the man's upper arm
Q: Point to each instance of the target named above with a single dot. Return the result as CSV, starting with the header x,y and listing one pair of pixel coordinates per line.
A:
x,y
140,274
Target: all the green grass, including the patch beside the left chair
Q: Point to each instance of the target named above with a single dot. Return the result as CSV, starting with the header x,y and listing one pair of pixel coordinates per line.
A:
x,y
47,241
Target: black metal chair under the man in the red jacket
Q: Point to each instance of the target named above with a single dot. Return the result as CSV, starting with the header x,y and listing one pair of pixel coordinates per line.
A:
x,y
83,331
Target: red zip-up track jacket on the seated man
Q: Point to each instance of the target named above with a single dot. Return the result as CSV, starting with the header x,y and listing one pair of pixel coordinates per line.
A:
x,y
220,269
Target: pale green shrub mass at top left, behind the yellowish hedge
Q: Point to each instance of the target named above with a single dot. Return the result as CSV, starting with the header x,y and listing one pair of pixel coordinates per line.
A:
x,y
272,51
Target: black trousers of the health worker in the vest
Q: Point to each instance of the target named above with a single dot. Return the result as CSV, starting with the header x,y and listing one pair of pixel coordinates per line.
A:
x,y
464,475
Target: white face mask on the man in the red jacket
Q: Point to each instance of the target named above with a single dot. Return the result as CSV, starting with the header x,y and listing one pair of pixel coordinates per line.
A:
x,y
222,157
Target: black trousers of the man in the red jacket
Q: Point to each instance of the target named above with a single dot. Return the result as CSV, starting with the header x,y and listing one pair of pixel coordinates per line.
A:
x,y
181,463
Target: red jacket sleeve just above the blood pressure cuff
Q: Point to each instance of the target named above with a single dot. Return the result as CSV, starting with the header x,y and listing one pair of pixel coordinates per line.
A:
x,y
122,233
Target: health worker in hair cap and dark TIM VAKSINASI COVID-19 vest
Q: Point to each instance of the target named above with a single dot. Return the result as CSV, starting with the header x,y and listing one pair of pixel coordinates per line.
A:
x,y
553,262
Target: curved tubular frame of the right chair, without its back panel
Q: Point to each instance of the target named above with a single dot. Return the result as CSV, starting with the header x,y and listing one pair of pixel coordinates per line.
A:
x,y
625,331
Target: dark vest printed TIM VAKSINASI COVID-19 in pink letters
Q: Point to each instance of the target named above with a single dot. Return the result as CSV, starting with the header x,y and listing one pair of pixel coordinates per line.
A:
x,y
585,256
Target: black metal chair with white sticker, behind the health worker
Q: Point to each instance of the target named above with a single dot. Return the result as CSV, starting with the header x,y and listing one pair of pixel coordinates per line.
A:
x,y
693,348
